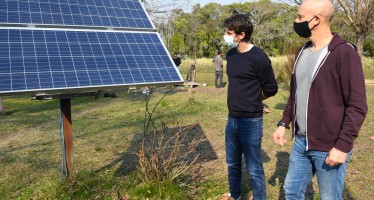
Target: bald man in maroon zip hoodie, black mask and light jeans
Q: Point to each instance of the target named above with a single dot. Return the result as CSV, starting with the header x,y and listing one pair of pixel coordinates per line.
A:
x,y
327,105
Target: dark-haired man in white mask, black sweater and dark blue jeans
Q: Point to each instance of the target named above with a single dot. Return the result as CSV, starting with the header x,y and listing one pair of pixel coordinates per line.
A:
x,y
251,79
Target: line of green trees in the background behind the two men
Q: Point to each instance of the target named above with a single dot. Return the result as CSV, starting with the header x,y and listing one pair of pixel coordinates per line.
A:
x,y
199,33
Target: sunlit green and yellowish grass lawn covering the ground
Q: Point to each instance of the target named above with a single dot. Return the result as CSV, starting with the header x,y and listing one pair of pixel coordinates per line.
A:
x,y
108,130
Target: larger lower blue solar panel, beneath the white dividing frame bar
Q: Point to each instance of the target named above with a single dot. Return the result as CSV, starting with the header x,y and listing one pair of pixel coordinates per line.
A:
x,y
45,59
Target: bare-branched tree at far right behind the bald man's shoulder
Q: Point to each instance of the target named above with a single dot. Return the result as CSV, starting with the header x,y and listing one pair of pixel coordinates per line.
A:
x,y
359,16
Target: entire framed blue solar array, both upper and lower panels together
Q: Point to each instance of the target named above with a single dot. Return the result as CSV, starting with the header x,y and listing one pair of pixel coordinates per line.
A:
x,y
75,45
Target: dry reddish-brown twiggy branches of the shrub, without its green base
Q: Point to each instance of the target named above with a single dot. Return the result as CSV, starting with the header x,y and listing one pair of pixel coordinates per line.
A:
x,y
167,154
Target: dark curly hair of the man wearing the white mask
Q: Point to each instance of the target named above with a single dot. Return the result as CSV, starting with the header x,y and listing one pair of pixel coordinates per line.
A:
x,y
240,23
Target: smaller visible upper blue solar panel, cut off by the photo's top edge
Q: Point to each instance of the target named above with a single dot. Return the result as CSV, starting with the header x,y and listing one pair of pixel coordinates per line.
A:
x,y
108,13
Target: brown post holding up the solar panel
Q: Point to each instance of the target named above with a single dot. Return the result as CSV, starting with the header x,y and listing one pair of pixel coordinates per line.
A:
x,y
67,134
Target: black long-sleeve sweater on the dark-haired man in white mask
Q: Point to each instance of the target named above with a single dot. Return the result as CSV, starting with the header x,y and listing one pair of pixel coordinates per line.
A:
x,y
249,73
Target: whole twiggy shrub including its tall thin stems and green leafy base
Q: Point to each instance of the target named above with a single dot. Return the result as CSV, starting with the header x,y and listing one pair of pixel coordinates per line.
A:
x,y
166,155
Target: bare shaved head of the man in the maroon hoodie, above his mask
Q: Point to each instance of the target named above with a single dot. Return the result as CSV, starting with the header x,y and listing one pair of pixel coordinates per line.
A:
x,y
324,8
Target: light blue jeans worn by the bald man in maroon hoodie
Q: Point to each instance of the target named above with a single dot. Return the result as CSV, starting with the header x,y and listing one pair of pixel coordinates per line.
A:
x,y
302,167
